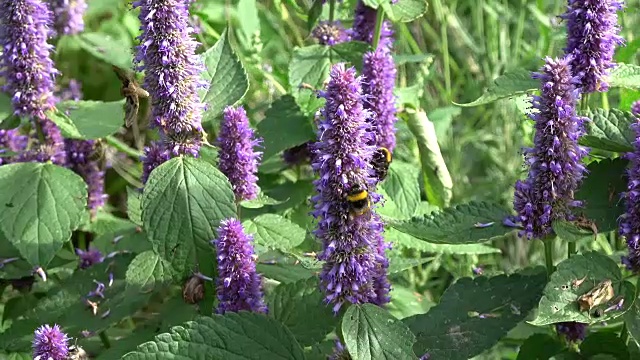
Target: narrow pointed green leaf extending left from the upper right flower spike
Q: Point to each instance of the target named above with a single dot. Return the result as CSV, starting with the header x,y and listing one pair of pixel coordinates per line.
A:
x,y
507,85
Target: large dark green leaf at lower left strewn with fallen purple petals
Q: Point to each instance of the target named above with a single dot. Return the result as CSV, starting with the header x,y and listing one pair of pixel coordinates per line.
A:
x,y
66,305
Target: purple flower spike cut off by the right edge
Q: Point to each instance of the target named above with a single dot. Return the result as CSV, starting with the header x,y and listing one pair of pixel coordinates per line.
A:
x,y
630,221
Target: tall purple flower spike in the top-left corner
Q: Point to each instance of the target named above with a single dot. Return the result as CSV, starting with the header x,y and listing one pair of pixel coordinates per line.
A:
x,y
29,72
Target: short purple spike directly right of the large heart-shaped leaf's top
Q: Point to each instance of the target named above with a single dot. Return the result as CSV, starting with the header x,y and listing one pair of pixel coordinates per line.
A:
x,y
238,160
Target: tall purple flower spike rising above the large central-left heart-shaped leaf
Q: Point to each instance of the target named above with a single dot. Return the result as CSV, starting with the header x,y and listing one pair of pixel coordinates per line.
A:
x,y
172,77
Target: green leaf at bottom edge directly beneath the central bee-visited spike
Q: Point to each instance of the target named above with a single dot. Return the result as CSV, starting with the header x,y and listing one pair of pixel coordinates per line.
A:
x,y
372,333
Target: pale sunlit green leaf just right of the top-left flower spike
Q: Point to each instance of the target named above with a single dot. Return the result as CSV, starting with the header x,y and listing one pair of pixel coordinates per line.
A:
x,y
90,119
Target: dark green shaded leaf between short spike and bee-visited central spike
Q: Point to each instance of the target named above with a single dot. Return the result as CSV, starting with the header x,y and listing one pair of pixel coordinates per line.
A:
x,y
284,127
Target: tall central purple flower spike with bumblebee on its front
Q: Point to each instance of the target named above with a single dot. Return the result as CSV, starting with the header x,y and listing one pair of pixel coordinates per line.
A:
x,y
352,250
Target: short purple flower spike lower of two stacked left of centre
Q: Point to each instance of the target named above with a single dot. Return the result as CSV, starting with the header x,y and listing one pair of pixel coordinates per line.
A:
x,y
239,286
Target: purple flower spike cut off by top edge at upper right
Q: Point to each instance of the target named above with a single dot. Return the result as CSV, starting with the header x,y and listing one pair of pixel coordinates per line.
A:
x,y
592,35
